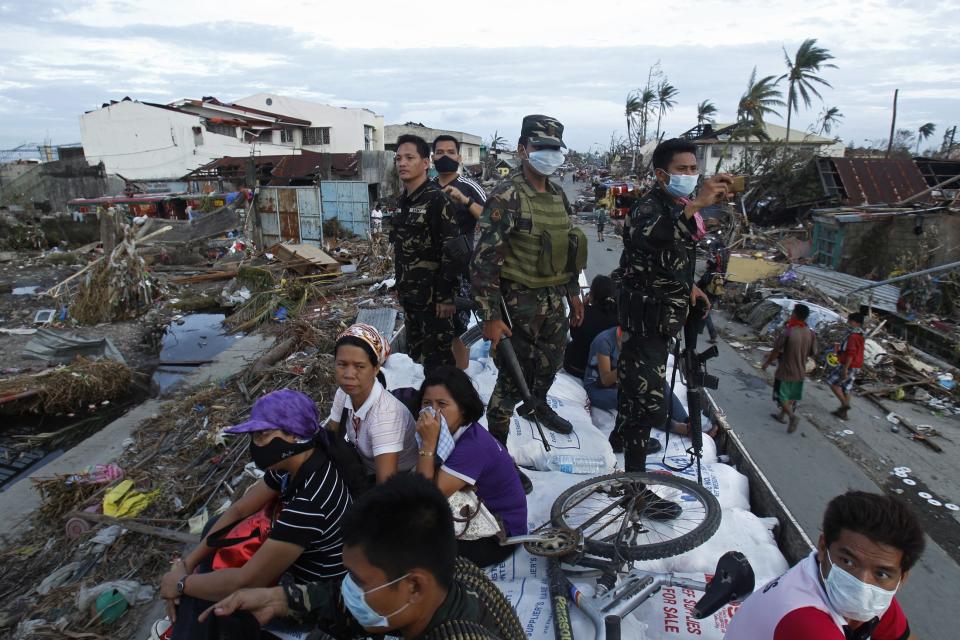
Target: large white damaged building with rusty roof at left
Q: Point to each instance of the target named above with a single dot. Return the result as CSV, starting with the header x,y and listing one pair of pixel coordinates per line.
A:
x,y
143,141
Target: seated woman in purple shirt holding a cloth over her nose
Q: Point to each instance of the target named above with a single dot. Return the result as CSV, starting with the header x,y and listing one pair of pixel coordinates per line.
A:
x,y
477,460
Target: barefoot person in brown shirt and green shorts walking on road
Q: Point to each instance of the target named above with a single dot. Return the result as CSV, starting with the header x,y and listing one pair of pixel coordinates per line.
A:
x,y
793,346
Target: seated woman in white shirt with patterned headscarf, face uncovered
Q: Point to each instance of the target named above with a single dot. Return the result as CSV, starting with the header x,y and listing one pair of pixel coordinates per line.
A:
x,y
376,423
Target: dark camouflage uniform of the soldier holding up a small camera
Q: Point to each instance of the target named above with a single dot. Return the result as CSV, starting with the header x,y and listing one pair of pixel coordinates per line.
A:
x,y
656,277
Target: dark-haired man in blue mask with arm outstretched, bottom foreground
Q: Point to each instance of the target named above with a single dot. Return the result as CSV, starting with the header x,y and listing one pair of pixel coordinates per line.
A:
x,y
404,579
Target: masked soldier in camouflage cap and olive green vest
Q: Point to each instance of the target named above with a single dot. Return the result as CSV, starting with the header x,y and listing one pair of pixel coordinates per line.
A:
x,y
528,259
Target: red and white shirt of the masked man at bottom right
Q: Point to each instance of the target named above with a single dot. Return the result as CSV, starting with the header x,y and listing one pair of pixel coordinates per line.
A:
x,y
795,607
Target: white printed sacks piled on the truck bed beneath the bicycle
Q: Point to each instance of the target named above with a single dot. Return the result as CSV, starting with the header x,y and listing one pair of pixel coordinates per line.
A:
x,y
523,578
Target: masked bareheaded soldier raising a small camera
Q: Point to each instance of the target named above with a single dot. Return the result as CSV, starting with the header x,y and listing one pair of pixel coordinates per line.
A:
x,y
656,290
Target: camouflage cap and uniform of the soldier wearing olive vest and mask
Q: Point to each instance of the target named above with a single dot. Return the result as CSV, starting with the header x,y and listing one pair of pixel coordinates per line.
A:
x,y
537,313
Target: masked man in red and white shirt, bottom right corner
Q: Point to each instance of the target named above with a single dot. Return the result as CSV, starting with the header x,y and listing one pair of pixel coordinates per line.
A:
x,y
846,588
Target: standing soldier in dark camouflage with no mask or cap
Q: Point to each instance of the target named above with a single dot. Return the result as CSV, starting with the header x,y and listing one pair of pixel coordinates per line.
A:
x,y
426,276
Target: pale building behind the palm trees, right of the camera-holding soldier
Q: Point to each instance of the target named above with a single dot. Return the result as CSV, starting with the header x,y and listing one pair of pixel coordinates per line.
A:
x,y
714,142
